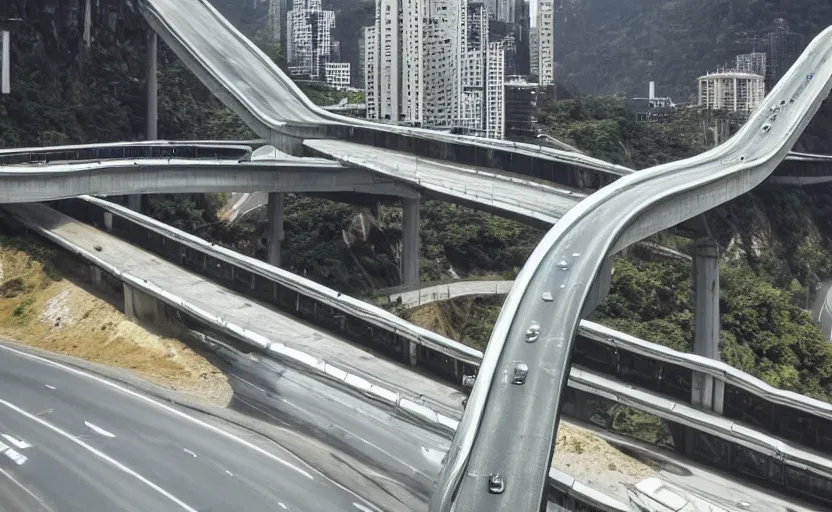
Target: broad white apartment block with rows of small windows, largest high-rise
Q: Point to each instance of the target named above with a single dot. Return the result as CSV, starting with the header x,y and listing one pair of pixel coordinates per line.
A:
x,y
426,62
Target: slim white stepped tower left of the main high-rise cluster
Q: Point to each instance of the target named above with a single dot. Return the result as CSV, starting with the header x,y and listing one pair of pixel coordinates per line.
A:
x,y
309,41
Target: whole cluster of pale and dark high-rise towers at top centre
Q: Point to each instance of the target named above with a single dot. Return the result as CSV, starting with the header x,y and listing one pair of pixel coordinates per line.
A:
x,y
443,64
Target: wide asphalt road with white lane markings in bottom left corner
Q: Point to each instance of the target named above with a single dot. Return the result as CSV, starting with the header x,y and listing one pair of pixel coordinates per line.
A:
x,y
90,445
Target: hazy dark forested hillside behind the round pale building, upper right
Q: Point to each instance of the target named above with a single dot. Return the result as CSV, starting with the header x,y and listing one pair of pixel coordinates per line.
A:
x,y
614,46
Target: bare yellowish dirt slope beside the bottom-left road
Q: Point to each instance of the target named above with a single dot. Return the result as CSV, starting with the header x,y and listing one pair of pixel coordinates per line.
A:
x,y
41,307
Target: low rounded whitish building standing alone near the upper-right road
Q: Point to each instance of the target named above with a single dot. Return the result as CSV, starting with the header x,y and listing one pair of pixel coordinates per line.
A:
x,y
731,91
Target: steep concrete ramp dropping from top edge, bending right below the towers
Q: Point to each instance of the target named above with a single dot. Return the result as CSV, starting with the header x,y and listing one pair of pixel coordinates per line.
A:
x,y
248,82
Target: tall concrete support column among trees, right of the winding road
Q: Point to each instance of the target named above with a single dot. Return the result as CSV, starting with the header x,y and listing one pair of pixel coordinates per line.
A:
x,y
707,392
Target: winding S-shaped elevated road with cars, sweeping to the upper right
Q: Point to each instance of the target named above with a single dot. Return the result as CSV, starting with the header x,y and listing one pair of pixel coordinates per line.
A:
x,y
509,428
